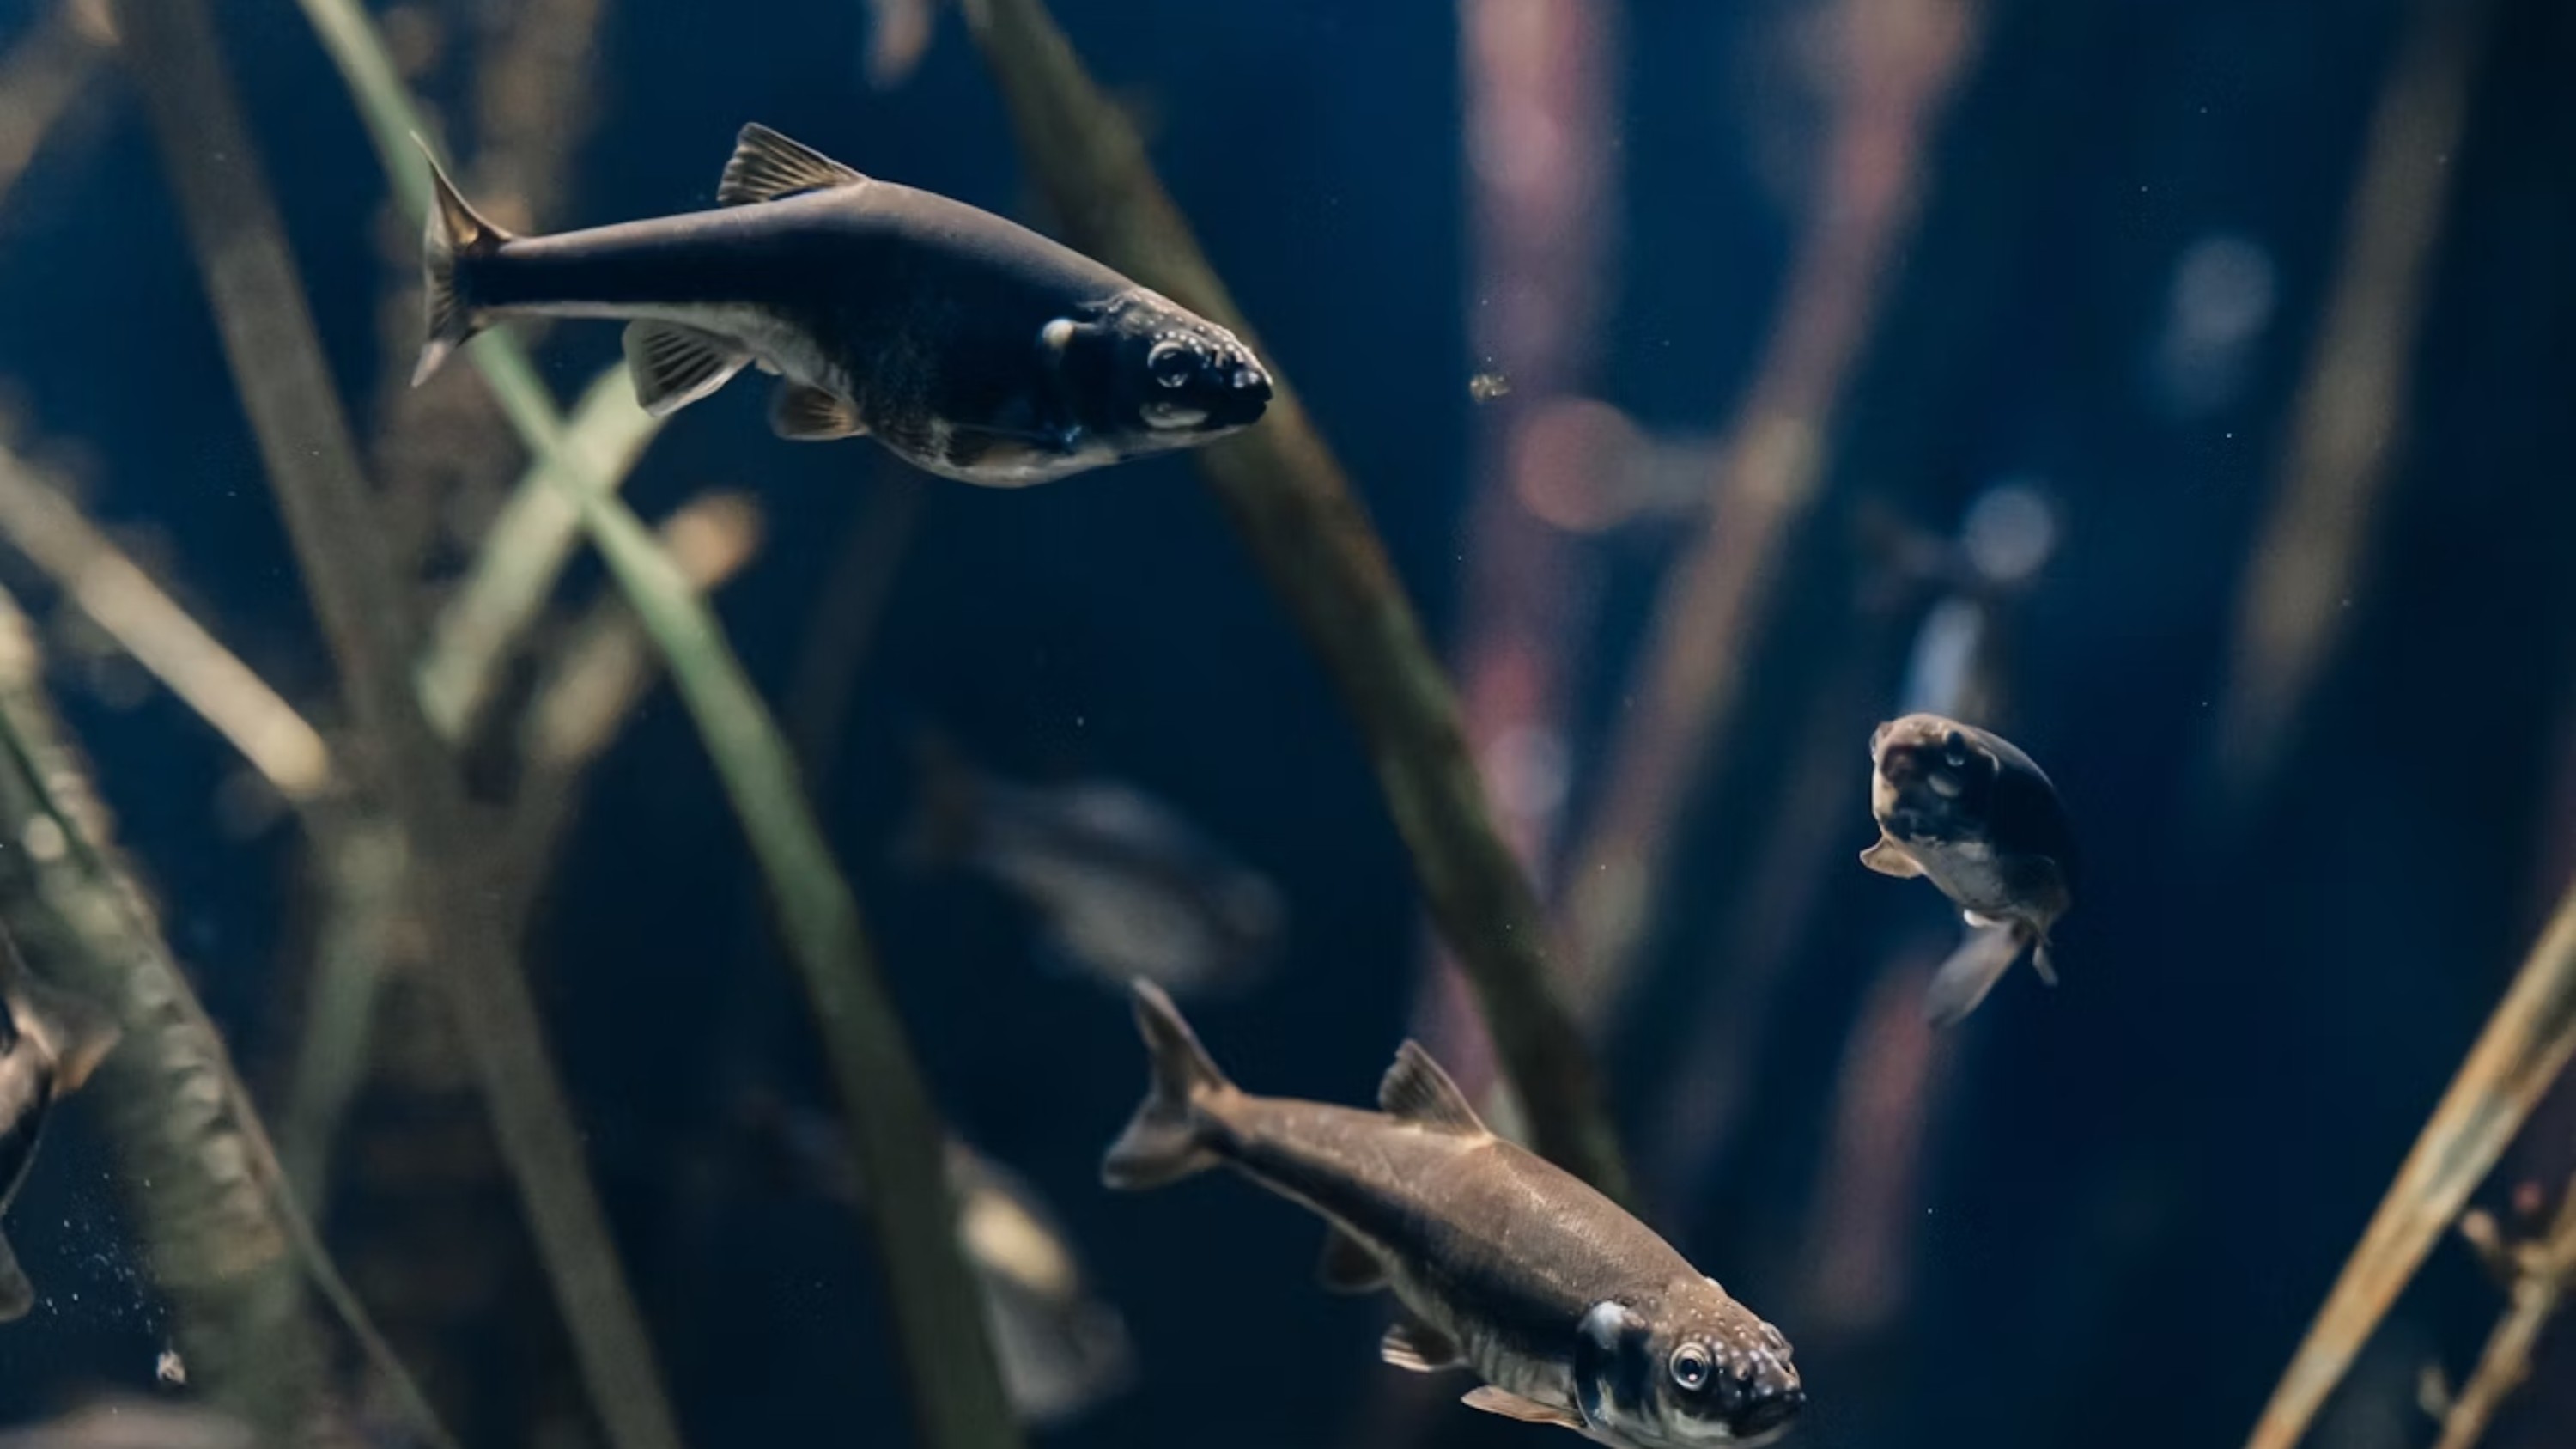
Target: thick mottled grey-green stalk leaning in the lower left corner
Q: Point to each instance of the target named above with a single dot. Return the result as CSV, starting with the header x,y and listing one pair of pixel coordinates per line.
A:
x,y
197,1167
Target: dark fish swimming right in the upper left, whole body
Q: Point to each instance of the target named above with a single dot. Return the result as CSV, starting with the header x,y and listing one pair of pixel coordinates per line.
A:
x,y
965,344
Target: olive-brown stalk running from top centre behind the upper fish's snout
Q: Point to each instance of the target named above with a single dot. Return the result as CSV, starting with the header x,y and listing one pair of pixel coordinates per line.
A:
x,y
1323,558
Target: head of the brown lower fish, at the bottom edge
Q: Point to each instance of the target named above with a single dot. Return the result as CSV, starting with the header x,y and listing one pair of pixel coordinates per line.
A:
x,y
1694,1373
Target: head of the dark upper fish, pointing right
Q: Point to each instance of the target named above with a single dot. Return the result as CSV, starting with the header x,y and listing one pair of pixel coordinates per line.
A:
x,y
1153,375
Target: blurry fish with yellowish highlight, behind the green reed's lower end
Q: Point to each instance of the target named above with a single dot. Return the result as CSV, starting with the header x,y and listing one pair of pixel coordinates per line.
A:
x,y
1063,1347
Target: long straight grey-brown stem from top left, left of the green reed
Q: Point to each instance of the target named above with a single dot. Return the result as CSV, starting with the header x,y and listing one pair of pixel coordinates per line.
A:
x,y
277,362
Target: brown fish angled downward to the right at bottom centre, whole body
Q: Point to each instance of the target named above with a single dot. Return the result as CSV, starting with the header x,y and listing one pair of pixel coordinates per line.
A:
x,y
1506,1265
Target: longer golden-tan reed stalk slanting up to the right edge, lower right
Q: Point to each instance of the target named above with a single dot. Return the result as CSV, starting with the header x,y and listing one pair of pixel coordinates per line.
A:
x,y
2523,1048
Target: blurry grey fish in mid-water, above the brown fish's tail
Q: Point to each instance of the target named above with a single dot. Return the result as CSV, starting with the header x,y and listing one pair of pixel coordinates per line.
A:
x,y
1122,886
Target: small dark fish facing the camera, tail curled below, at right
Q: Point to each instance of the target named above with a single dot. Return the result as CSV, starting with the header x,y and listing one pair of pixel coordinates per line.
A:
x,y
1977,819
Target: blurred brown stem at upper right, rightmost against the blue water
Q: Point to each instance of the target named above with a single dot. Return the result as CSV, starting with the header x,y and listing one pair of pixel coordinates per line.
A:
x,y
2315,548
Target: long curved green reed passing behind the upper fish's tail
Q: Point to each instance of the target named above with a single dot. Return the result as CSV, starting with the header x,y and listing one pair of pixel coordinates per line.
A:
x,y
957,1386
